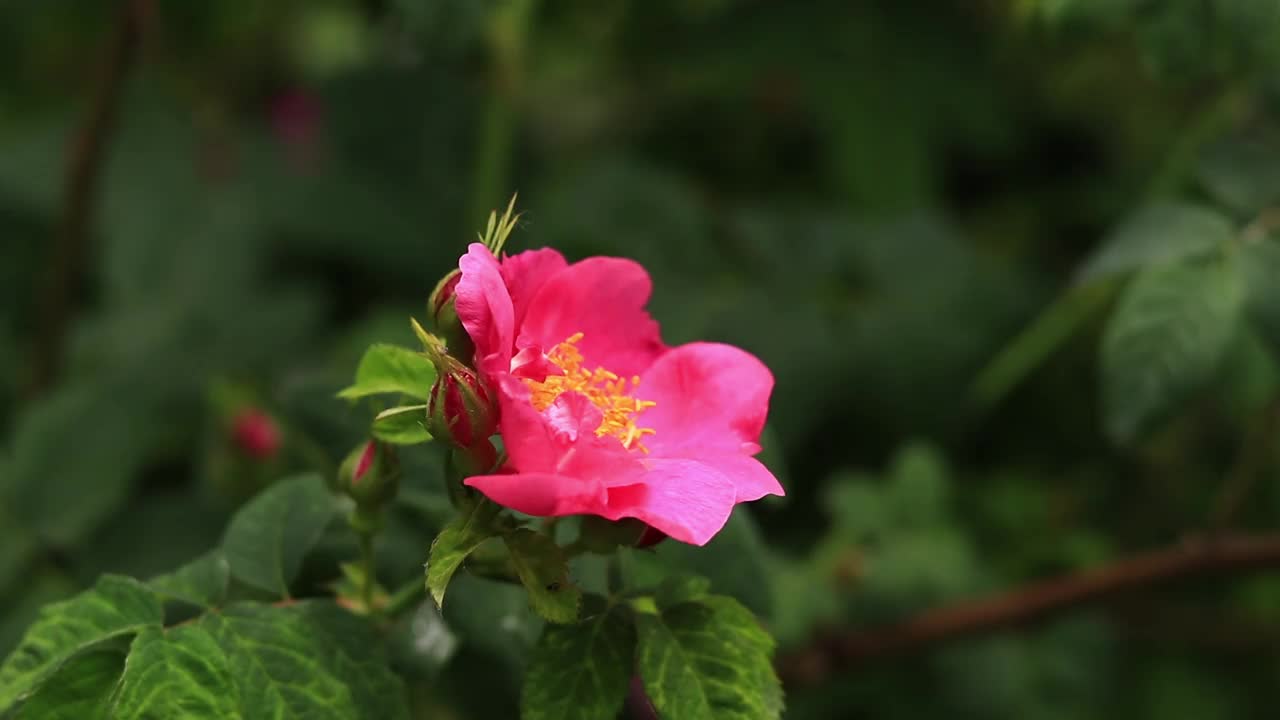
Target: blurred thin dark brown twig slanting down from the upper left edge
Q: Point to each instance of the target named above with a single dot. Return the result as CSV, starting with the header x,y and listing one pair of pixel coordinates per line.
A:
x,y
85,165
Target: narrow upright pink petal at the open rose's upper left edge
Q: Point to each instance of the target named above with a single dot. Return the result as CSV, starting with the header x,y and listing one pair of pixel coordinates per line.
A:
x,y
484,308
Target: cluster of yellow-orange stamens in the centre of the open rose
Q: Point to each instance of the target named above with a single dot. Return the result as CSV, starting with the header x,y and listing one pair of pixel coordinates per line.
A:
x,y
606,390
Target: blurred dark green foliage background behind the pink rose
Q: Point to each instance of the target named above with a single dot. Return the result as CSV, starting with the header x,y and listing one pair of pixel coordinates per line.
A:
x,y
877,199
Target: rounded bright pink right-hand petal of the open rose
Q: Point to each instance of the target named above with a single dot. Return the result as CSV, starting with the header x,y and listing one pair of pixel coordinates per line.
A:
x,y
711,398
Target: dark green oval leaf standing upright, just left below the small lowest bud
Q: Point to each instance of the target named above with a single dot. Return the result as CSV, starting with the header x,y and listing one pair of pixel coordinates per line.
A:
x,y
267,541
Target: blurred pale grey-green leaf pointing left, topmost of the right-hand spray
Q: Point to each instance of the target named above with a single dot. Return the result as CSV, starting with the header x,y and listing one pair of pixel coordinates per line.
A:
x,y
1156,235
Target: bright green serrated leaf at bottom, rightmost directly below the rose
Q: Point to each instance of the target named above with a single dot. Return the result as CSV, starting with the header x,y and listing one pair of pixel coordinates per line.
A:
x,y
708,660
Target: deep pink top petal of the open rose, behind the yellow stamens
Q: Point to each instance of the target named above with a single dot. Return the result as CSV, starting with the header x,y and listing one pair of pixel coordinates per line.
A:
x,y
604,299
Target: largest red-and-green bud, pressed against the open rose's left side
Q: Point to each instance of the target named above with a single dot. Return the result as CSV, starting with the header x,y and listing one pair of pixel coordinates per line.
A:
x,y
461,411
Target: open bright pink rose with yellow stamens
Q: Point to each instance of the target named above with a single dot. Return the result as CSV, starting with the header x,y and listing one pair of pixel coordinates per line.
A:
x,y
597,414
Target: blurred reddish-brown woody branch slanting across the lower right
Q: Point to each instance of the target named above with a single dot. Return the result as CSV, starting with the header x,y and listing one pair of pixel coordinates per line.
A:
x,y
1195,558
